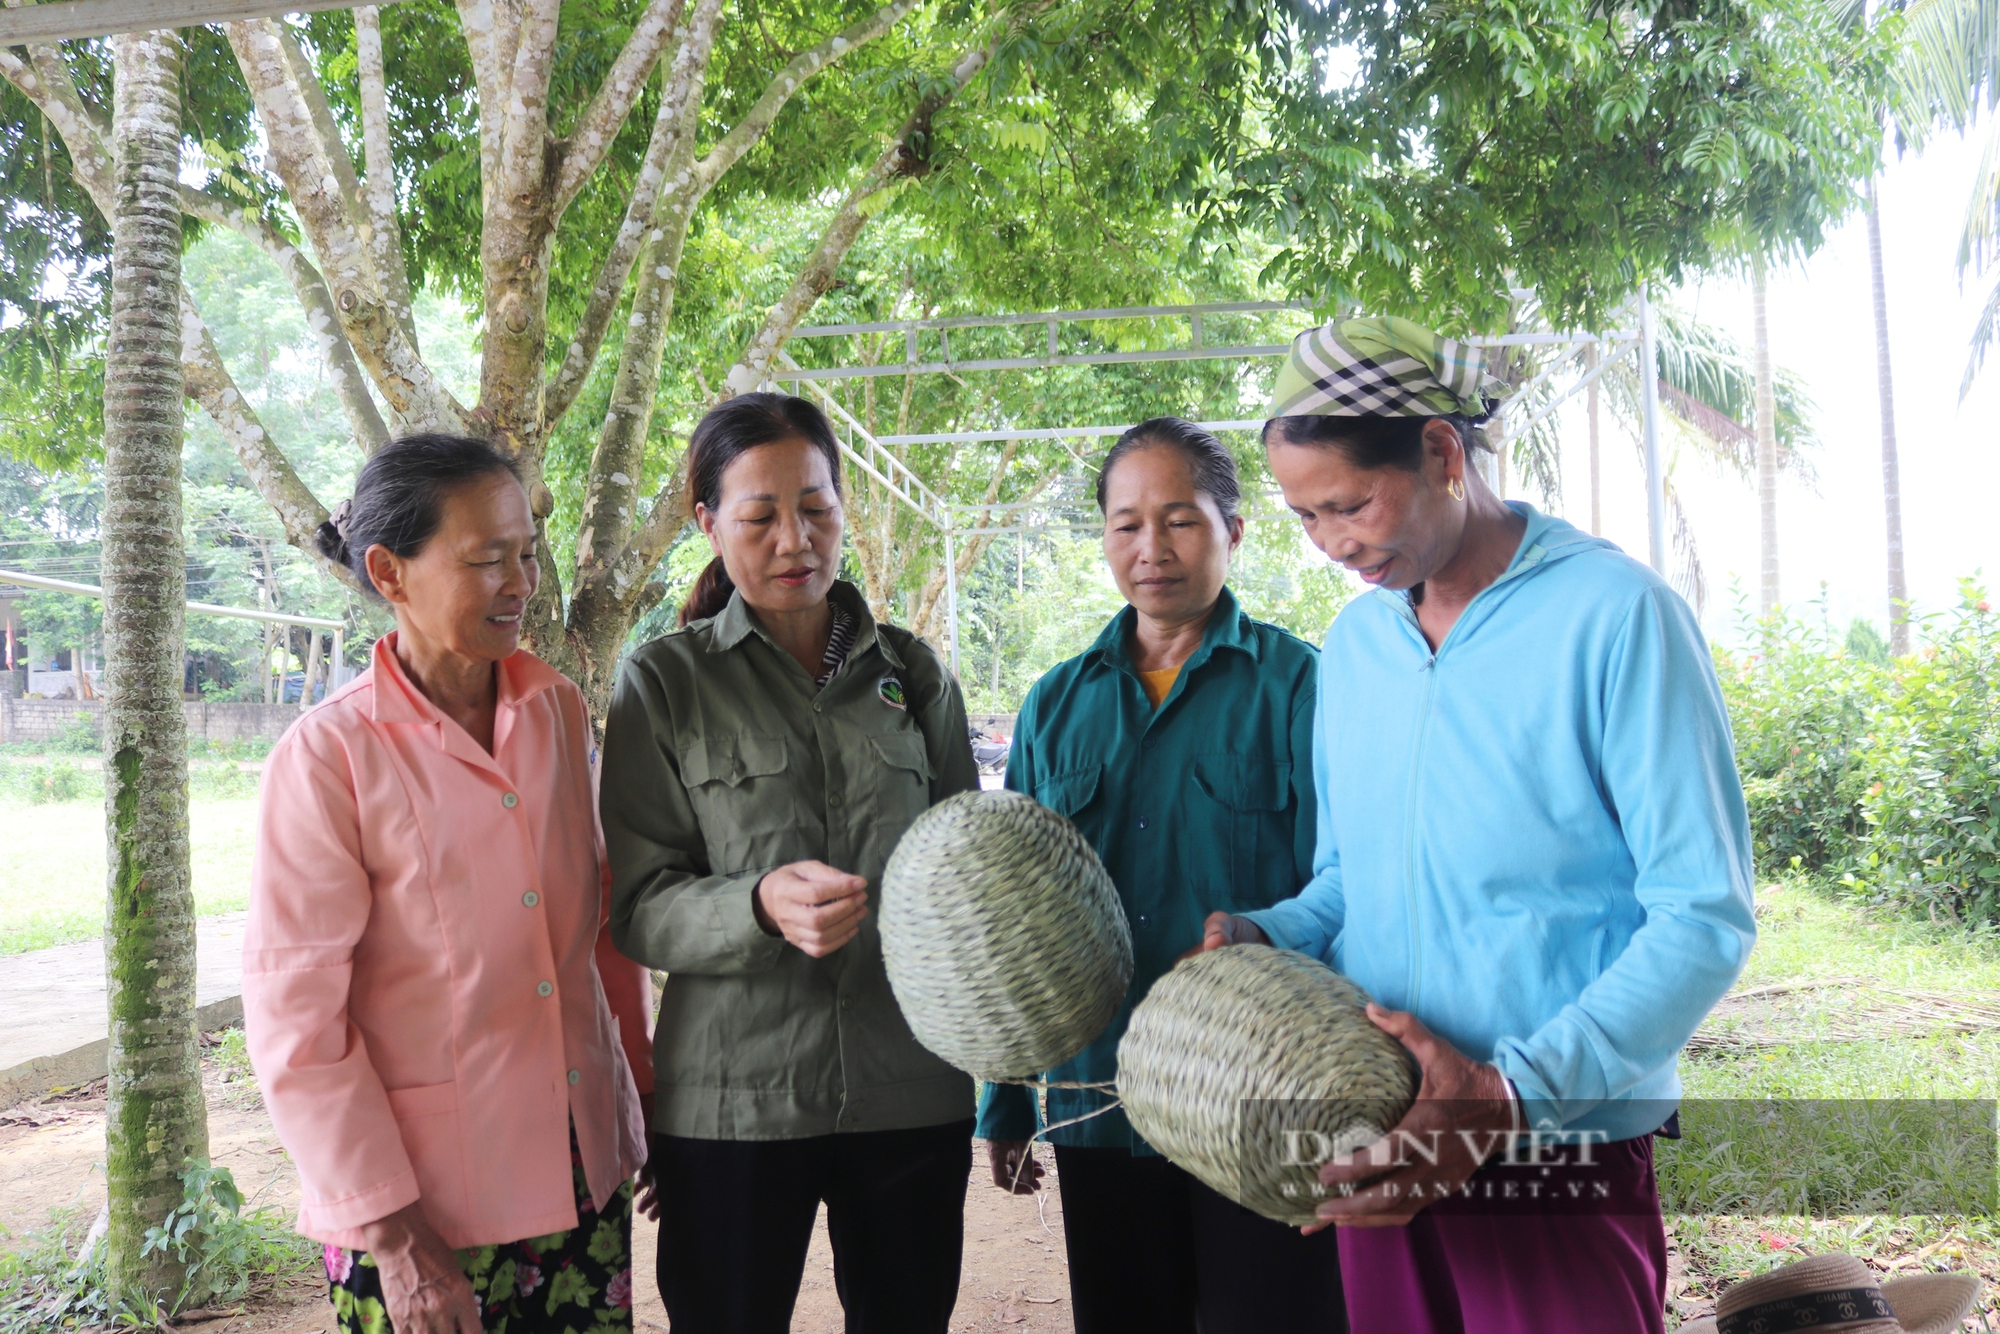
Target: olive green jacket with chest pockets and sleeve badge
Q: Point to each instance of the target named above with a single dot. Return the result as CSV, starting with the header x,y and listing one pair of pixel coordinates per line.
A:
x,y
723,761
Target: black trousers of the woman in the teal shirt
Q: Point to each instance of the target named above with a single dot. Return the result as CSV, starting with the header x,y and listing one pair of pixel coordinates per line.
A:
x,y
1153,1251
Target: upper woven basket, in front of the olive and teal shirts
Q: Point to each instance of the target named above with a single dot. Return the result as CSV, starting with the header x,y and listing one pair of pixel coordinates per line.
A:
x,y
1005,941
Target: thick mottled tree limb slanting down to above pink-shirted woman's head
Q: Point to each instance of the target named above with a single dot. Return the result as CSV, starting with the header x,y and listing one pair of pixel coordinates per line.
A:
x,y
329,221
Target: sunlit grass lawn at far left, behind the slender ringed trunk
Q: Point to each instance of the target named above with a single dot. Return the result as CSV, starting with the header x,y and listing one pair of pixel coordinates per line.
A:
x,y
53,851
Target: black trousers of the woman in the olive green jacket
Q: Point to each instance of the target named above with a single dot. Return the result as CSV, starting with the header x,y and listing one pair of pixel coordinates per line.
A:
x,y
737,1219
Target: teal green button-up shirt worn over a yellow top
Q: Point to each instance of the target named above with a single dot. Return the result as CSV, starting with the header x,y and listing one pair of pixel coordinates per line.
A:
x,y
1201,805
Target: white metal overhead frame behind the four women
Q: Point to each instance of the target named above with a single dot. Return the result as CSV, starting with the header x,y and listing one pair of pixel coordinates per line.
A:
x,y
877,457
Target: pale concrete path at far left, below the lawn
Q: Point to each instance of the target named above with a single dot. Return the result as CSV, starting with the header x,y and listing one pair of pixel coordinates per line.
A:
x,y
55,1007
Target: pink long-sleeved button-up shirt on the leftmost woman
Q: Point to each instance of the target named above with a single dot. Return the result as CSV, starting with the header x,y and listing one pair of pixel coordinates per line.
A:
x,y
431,991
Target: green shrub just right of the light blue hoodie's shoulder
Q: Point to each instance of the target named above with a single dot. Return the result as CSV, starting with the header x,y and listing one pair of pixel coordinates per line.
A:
x,y
1799,709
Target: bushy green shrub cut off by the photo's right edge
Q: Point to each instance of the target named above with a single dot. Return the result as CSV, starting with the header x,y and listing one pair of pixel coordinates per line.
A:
x,y
1933,763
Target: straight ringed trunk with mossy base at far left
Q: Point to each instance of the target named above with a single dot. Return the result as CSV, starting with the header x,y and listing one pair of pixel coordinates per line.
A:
x,y
157,1119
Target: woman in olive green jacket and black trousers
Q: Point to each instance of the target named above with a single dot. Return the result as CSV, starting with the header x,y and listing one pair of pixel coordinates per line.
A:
x,y
759,769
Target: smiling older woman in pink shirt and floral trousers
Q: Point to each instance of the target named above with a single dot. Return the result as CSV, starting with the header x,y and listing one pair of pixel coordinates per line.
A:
x,y
451,1049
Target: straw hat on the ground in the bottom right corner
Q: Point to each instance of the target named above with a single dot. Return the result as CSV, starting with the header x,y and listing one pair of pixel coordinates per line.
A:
x,y
1839,1293
